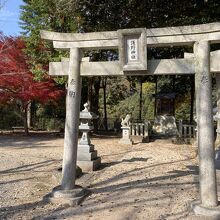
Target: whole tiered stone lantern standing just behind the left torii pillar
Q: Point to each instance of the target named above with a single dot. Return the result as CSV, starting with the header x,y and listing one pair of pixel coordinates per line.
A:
x,y
87,158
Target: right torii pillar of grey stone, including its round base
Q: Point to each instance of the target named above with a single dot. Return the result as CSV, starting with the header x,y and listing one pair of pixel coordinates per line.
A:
x,y
207,174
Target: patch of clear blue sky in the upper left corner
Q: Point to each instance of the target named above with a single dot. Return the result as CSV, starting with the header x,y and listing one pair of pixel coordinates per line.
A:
x,y
9,17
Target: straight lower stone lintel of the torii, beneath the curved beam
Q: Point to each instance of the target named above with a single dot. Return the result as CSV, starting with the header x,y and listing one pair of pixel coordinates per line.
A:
x,y
155,67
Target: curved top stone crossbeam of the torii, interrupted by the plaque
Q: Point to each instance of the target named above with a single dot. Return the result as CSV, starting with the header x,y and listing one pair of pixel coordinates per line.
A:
x,y
156,37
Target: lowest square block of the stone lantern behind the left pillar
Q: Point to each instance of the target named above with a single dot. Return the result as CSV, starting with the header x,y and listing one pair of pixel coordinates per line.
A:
x,y
91,165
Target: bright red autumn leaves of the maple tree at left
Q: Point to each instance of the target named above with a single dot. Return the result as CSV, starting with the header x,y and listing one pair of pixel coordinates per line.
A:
x,y
17,83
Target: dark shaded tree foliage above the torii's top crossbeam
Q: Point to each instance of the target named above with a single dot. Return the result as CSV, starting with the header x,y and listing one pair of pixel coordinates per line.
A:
x,y
112,15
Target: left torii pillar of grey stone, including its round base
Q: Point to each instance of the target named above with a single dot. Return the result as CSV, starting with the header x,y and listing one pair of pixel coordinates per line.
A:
x,y
68,192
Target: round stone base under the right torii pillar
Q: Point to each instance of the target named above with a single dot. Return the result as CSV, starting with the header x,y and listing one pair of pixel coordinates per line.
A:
x,y
198,209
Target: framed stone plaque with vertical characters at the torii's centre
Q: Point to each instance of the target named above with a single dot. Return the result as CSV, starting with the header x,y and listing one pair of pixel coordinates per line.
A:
x,y
133,49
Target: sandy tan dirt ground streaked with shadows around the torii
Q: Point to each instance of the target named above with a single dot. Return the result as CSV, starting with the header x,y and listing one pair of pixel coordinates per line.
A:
x,y
153,180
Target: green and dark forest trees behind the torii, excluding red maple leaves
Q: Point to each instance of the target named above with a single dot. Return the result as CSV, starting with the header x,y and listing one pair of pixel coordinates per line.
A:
x,y
109,97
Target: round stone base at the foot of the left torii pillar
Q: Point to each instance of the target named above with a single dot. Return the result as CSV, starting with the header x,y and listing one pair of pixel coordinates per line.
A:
x,y
71,197
